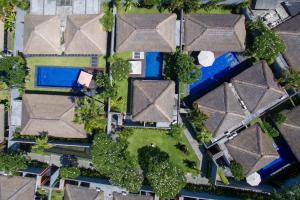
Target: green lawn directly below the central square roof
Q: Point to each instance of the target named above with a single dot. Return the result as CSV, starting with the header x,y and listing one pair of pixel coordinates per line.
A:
x,y
144,137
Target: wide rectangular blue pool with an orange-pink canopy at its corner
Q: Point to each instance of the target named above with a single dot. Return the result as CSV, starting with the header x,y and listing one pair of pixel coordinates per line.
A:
x,y
64,77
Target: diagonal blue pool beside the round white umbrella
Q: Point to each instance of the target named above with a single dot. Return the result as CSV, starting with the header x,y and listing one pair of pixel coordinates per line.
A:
x,y
222,67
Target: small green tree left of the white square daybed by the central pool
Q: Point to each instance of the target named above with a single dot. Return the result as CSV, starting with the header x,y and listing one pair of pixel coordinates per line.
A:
x,y
120,68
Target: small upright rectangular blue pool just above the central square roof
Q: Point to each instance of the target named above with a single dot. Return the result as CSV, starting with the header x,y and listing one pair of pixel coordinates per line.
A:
x,y
154,64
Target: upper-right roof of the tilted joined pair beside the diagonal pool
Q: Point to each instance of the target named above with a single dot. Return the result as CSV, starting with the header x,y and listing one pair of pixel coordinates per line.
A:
x,y
256,86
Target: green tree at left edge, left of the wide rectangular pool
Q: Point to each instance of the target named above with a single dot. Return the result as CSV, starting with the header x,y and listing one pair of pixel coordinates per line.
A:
x,y
13,71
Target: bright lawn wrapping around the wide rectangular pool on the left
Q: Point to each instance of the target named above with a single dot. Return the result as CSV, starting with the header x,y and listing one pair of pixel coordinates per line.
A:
x,y
52,61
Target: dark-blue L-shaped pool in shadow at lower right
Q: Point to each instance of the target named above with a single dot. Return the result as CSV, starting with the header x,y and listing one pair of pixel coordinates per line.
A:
x,y
286,157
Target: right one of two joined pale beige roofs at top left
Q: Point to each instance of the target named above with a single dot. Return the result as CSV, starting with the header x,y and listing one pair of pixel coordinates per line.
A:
x,y
84,34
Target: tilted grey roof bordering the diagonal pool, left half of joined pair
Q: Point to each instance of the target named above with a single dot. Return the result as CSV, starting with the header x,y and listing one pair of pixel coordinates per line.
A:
x,y
222,108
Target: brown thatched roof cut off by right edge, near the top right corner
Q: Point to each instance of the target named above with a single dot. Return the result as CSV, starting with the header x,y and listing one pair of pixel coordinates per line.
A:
x,y
290,33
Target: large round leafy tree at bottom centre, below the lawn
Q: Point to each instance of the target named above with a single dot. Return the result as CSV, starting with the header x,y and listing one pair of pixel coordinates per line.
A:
x,y
166,179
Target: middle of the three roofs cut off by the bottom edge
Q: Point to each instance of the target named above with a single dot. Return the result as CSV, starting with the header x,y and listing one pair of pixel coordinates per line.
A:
x,y
73,192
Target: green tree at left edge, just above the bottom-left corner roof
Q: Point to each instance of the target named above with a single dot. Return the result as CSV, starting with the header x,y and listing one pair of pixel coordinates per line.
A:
x,y
12,163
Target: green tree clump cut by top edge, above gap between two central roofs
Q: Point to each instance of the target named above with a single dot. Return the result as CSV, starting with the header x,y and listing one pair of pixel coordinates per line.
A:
x,y
188,6
